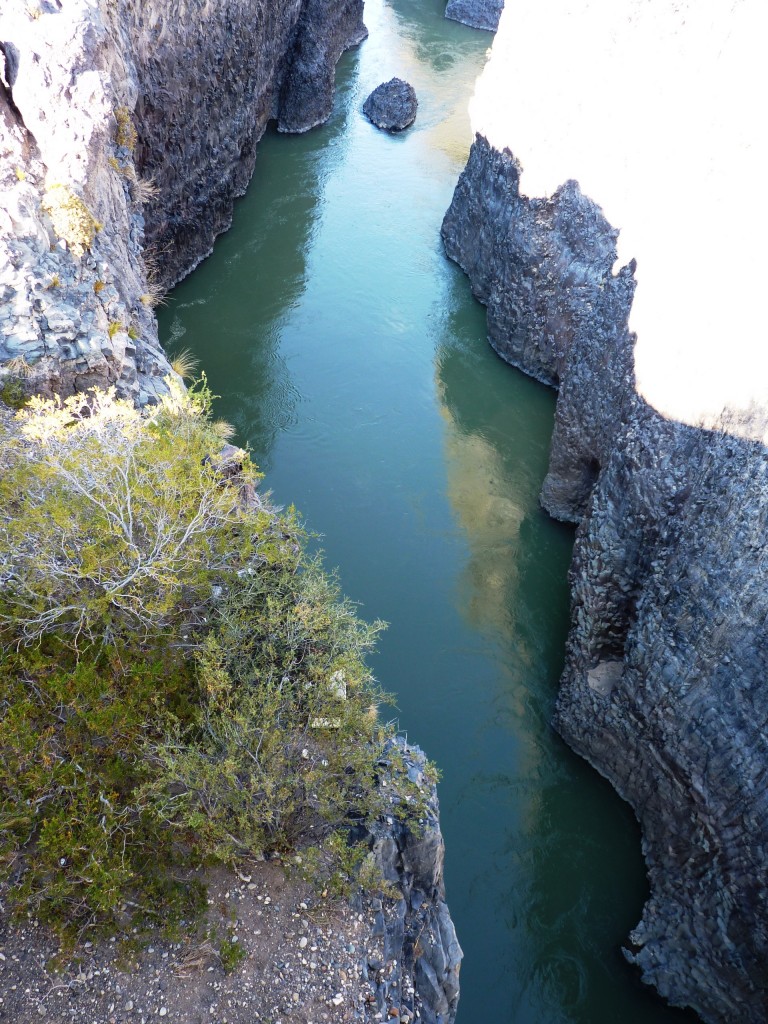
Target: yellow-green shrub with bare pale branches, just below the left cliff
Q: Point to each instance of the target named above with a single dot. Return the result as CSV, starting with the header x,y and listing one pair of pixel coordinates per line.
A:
x,y
109,523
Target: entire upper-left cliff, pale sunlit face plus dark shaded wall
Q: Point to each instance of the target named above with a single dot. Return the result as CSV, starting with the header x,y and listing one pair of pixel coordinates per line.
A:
x,y
149,116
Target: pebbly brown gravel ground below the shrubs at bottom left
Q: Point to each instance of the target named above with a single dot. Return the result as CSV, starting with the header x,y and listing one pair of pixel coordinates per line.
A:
x,y
307,961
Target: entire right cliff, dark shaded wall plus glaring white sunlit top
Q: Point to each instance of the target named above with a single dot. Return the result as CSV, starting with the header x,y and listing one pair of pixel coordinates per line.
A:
x,y
599,220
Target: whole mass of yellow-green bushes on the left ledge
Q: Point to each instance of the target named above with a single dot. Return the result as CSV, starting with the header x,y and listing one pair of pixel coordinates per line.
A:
x,y
178,680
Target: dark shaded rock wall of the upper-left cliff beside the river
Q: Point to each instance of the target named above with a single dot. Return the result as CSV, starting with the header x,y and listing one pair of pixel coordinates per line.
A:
x,y
206,98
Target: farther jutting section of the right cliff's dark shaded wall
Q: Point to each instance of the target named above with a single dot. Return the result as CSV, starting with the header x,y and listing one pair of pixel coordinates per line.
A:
x,y
543,268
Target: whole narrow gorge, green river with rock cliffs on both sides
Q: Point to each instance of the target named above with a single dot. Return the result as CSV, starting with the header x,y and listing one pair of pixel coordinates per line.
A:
x,y
617,250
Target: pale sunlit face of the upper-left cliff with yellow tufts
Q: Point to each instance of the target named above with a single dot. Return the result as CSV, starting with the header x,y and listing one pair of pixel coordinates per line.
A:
x,y
72,277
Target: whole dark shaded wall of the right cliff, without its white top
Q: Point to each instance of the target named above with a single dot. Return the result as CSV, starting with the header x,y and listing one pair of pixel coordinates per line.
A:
x,y
664,688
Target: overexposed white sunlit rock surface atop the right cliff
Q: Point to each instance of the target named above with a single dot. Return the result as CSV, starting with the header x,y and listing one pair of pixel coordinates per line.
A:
x,y
655,110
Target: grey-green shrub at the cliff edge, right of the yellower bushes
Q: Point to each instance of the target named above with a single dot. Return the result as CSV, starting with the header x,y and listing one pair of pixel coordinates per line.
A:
x,y
281,755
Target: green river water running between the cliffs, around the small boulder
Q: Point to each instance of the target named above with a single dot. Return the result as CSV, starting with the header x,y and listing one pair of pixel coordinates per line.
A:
x,y
352,358
